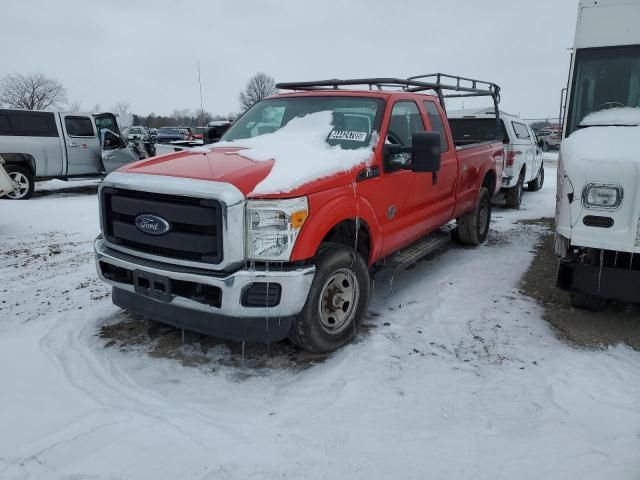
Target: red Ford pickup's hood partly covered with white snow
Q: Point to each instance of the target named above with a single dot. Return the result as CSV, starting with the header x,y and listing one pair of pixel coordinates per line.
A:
x,y
295,160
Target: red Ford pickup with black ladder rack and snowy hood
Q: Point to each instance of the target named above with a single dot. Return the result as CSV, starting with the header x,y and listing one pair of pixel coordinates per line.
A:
x,y
199,240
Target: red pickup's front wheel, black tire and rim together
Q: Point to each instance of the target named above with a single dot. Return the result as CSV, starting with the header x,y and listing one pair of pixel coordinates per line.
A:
x,y
337,301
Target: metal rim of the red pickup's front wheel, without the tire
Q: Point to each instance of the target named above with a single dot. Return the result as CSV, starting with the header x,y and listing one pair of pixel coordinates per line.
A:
x,y
338,301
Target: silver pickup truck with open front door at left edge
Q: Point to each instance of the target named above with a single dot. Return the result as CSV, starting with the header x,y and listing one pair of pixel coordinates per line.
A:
x,y
46,145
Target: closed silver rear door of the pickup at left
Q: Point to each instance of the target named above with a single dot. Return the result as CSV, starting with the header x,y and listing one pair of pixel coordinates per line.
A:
x,y
82,144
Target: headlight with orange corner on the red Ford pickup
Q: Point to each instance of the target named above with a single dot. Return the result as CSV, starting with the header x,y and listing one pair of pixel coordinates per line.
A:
x,y
273,226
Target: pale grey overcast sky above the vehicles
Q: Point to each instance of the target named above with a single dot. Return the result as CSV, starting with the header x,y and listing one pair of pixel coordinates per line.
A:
x,y
145,52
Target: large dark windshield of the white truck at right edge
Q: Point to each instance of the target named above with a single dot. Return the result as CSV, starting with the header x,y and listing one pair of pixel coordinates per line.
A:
x,y
604,78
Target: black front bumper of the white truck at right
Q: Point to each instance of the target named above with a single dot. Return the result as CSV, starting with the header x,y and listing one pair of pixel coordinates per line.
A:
x,y
611,283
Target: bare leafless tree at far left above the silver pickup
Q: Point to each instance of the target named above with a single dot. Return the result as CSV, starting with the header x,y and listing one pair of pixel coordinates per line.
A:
x,y
31,92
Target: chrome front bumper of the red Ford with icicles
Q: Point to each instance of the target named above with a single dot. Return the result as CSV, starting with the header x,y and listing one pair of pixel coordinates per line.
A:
x,y
228,318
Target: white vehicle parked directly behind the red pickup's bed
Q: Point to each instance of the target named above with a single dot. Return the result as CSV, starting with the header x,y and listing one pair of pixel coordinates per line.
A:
x,y
523,158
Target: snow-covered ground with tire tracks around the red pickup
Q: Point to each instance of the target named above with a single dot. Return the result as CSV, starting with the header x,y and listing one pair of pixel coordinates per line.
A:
x,y
457,377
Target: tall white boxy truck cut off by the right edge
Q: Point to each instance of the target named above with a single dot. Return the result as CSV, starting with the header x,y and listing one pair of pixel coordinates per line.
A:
x,y
598,194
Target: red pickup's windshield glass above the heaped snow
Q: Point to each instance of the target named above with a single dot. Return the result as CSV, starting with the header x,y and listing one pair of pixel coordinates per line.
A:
x,y
354,119
